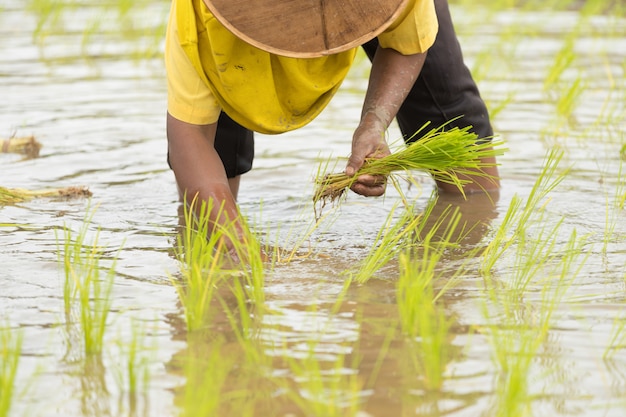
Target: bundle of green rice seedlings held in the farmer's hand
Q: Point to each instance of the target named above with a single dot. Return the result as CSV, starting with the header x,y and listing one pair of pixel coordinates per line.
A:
x,y
448,155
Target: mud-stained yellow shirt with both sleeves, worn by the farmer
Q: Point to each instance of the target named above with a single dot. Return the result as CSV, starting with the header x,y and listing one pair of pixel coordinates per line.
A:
x,y
210,70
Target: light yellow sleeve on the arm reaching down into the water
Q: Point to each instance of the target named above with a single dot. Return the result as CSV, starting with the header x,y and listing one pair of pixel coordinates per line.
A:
x,y
189,99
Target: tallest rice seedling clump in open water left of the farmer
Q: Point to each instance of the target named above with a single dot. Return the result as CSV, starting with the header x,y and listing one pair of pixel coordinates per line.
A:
x,y
85,286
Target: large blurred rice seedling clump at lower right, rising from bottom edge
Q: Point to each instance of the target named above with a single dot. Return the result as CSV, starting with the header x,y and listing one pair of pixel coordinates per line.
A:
x,y
524,330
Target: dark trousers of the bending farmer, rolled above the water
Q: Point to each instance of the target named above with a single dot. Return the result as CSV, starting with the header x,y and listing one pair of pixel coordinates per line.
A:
x,y
444,91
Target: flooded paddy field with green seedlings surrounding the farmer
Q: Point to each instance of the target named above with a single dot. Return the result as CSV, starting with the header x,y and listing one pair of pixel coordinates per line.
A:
x,y
519,313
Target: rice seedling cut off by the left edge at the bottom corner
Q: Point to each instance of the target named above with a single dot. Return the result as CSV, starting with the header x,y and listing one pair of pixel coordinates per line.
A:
x,y
10,352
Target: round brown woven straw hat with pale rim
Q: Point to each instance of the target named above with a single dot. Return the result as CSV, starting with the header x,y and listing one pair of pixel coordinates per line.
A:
x,y
306,28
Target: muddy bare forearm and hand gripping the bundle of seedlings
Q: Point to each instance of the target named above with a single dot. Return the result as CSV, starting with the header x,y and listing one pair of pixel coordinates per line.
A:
x,y
391,79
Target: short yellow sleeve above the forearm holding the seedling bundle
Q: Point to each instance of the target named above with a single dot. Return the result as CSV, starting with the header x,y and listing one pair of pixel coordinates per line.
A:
x,y
414,31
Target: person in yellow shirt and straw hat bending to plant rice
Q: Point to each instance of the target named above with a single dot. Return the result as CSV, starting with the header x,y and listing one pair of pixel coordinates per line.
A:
x,y
238,66
